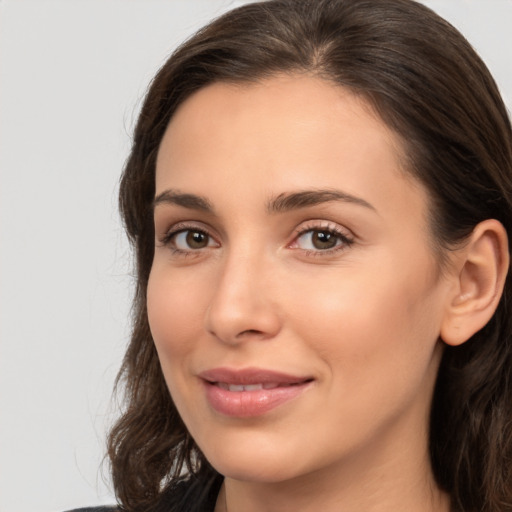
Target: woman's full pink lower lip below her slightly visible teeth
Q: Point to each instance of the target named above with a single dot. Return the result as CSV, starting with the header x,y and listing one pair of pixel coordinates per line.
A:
x,y
247,404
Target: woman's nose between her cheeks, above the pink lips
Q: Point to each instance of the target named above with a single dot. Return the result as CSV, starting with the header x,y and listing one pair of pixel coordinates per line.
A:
x,y
243,306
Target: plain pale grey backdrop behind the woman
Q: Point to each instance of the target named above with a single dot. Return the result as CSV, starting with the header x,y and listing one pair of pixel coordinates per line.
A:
x,y
72,75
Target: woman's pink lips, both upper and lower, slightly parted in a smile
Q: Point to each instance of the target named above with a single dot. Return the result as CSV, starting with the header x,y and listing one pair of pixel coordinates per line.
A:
x,y
250,392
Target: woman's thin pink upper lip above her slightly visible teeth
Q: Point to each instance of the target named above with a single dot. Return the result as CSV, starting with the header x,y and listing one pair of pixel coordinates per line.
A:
x,y
248,376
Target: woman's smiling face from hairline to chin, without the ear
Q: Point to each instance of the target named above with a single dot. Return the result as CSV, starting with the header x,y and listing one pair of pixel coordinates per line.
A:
x,y
294,299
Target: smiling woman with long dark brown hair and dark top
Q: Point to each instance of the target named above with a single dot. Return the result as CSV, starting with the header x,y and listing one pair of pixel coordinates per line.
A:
x,y
319,195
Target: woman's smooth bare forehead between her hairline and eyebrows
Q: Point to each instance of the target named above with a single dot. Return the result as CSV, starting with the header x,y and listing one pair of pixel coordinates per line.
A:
x,y
286,132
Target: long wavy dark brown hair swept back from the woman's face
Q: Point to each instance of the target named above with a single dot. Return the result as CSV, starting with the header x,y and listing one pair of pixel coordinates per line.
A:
x,y
430,87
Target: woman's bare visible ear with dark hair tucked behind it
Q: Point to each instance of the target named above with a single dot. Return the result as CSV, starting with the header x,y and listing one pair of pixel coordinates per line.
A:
x,y
481,267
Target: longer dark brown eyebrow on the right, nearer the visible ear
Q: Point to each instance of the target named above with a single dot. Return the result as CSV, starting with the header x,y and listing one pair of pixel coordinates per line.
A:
x,y
296,200
